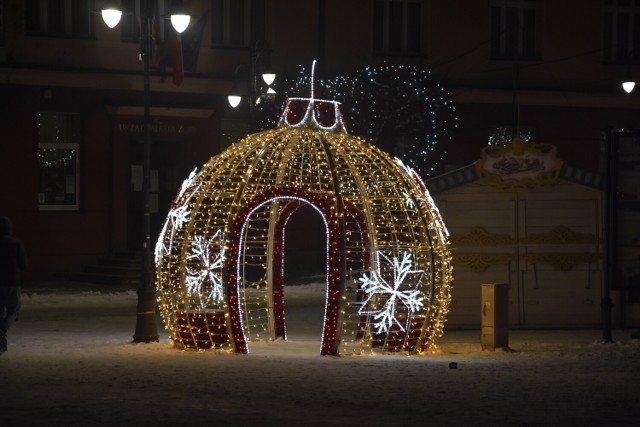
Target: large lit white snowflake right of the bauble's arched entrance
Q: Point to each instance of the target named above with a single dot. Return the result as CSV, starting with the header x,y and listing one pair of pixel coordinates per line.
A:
x,y
374,284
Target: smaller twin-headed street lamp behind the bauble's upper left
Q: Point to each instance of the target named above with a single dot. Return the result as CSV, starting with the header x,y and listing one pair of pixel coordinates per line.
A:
x,y
268,77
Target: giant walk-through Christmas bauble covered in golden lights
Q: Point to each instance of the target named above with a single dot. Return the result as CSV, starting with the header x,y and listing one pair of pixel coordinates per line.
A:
x,y
220,255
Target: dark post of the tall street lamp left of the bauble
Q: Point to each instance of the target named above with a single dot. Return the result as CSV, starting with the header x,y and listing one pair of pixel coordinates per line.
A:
x,y
146,329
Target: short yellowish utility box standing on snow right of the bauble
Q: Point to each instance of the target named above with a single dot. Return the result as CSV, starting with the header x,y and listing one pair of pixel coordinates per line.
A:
x,y
495,316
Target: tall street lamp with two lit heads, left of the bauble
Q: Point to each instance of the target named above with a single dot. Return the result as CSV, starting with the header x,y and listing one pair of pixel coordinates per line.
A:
x,y
146,329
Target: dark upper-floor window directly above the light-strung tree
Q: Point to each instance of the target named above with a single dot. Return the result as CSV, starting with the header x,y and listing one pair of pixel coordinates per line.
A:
x,y
396,26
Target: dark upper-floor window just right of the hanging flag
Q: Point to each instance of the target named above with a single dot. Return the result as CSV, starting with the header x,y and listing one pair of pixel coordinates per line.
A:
x,y
237,23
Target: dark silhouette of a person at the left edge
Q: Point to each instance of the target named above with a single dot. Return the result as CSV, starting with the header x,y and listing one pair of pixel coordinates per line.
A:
x,y
13,260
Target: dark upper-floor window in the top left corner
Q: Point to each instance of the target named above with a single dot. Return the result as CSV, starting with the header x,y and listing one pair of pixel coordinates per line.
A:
x,y
70,18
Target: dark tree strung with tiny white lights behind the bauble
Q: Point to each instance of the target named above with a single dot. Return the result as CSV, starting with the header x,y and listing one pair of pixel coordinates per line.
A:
x,y
398,108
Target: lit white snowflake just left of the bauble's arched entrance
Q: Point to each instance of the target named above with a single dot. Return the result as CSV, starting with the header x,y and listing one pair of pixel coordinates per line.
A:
x,y
204,278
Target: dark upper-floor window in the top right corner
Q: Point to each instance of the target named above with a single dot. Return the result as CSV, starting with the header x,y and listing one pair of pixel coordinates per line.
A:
x,y
621,31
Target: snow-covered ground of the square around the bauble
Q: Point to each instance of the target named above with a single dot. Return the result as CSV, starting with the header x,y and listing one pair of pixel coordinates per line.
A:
x,y
71,362
